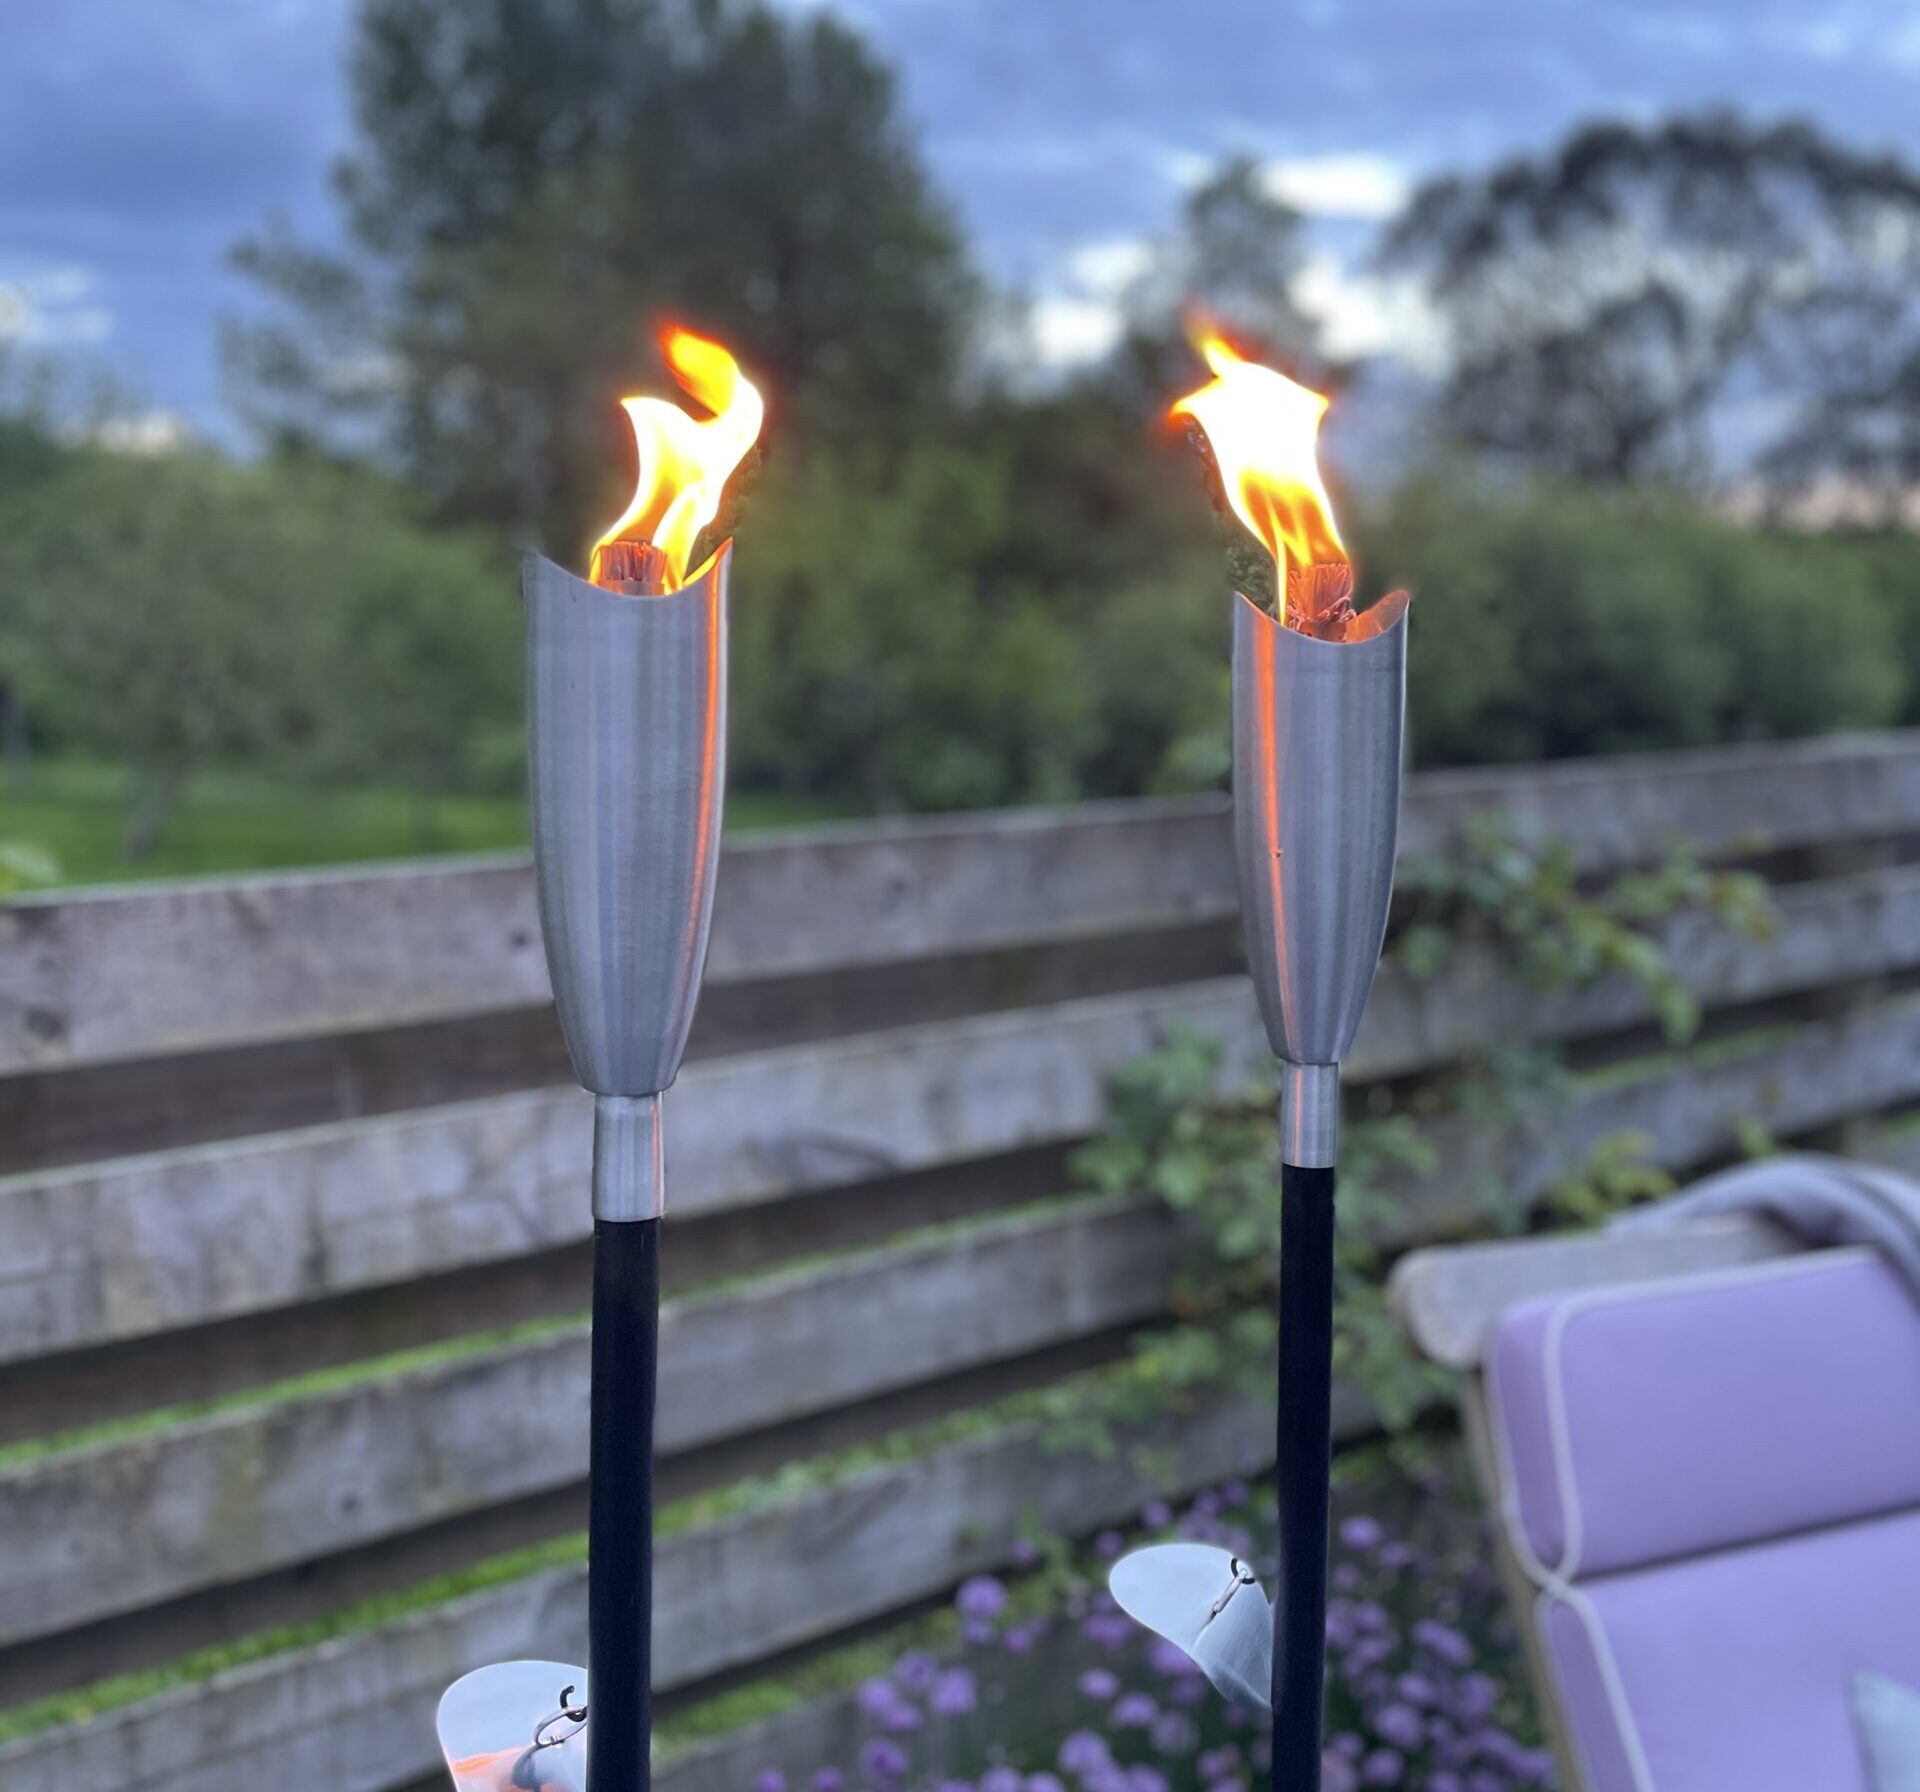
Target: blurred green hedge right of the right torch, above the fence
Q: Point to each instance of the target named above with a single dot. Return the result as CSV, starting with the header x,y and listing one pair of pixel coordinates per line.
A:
x,y
1556,623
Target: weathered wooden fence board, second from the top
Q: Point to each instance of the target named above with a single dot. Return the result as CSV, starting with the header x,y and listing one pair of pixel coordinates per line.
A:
x,y
174,1240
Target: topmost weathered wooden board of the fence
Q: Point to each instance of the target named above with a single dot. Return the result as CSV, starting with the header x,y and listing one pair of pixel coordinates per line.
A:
x,y
195,967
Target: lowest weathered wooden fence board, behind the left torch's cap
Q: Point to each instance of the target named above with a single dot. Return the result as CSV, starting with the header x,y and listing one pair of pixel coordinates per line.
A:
x,y
358,1714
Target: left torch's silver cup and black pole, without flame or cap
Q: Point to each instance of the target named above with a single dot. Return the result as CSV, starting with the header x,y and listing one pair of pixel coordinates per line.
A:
x,y
627,756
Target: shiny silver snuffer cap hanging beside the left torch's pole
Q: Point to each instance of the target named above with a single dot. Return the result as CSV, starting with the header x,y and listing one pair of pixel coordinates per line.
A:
x,y
504,1730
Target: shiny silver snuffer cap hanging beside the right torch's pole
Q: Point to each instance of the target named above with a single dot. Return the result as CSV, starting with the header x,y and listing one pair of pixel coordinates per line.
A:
x,y
1207,1603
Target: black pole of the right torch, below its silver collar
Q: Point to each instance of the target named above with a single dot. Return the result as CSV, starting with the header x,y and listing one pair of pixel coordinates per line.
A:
x,y
1305,1443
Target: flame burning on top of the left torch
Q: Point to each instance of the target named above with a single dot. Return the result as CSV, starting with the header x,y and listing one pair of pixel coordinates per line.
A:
x,y
686,462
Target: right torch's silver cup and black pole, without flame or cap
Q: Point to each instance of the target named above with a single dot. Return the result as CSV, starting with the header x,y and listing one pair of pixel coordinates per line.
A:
x,y
1316,811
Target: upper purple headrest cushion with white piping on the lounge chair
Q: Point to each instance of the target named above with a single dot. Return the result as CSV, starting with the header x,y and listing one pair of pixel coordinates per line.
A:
x,y
1652,1422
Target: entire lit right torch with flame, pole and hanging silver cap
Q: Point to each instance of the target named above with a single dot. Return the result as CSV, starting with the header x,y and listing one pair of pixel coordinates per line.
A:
x,y
1318,704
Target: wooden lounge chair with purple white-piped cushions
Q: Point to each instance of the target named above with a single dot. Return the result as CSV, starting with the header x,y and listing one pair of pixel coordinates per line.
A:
x,y
1704,1449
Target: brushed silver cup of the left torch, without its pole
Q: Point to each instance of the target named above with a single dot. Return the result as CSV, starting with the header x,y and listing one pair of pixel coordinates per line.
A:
x,y
627,756
